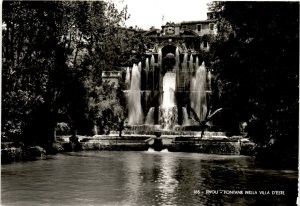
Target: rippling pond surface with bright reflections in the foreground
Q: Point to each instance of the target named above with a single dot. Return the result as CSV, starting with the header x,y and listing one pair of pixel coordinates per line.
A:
x,y
145,178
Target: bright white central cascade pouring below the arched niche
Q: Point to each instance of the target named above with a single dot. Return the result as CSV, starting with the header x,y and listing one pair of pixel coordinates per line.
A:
x,y
168,109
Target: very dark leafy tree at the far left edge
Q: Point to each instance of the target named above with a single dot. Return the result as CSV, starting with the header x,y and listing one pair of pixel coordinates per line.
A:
x,y
33,66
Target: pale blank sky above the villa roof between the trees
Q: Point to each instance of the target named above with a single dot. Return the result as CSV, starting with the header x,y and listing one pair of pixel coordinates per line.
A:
x,y
147,13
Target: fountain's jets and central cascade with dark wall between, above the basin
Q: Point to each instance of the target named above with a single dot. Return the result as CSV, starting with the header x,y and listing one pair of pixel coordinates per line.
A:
x,y
168,83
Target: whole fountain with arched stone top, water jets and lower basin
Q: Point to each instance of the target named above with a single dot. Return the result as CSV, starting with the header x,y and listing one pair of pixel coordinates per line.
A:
x,y
170,102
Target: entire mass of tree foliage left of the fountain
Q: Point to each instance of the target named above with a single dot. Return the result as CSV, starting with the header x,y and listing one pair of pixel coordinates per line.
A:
x,y
53,57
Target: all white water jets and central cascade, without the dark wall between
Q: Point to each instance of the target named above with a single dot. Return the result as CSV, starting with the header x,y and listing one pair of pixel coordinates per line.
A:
x,y
168,110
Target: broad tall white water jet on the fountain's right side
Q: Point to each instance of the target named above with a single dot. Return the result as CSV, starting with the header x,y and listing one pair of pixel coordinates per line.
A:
x,y
198,92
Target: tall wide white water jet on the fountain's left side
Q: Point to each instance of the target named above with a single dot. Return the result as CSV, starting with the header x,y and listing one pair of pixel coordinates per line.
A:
x,y
135,112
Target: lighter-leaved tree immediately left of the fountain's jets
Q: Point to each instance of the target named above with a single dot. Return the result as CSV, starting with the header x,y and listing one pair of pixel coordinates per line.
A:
x,y
104,45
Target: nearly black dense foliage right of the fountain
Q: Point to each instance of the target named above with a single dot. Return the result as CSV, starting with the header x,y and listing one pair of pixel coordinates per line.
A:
x,y
256,57
